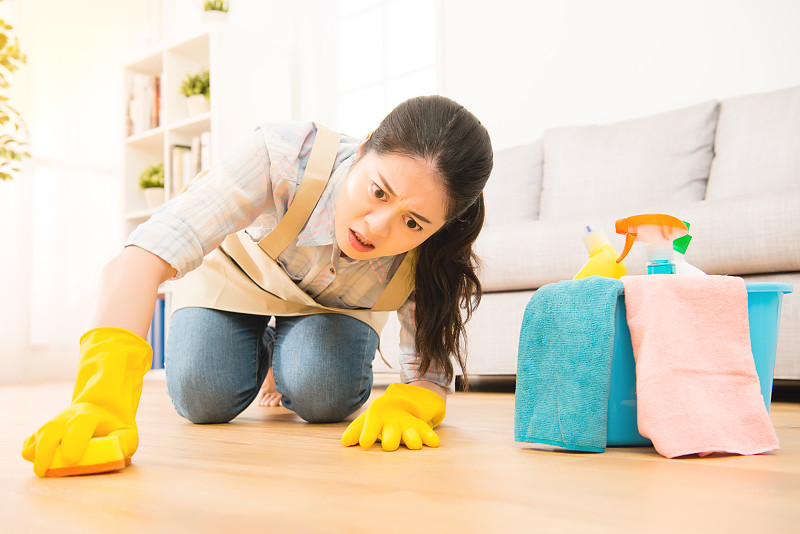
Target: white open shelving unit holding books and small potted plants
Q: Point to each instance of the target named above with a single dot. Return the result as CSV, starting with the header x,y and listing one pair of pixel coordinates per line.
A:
x,y
251,79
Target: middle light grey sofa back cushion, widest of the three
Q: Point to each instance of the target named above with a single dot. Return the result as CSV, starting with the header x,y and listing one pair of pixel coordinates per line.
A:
x,y
620,167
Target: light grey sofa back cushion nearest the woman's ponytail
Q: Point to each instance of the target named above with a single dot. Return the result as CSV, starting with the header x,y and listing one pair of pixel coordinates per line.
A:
x,y
512,192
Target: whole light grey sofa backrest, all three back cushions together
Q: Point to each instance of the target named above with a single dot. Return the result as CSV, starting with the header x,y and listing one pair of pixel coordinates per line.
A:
x,y
740,147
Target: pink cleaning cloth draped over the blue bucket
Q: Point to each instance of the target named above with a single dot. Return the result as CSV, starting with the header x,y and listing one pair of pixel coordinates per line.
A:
x,y
696,382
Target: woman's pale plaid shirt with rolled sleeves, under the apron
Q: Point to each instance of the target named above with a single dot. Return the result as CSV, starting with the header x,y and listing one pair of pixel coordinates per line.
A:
x,y
252,189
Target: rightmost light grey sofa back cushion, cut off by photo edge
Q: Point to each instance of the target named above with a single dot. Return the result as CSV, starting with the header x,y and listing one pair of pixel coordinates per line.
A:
x,y
757,145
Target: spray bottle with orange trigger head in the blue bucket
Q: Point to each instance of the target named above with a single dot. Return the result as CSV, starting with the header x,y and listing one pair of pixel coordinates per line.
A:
x,y
658,231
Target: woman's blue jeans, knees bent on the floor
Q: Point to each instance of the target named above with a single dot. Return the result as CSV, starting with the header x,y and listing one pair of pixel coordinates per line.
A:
x,y
216,362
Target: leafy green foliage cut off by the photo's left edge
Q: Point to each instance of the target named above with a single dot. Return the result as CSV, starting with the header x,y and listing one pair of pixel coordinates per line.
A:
x,y
12,149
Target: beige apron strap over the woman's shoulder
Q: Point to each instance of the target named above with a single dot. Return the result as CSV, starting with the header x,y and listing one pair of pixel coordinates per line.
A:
x,y
315,178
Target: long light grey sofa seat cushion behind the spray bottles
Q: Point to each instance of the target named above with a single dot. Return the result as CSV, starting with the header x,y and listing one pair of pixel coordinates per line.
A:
x,y
729,237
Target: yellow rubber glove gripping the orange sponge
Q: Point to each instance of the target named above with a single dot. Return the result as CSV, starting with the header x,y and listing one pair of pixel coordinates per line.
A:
x,y
104,401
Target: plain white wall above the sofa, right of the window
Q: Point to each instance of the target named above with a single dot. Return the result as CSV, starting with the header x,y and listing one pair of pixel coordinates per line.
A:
x,y
524,66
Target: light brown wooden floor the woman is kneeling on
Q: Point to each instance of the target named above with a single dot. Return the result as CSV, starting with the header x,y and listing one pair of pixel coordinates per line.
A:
x,y
269,472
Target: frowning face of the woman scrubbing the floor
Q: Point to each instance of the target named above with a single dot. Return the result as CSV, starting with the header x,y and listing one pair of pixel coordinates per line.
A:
x,y
388,205
